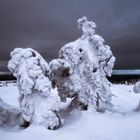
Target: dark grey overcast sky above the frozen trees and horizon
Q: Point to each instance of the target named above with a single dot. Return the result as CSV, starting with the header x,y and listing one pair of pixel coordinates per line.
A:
x,y
46,25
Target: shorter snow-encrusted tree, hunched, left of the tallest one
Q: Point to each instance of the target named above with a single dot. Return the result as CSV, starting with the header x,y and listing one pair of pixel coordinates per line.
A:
x,y
37,102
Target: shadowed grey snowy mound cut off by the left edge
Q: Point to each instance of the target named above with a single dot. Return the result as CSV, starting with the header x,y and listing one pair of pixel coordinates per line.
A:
x,y
9,115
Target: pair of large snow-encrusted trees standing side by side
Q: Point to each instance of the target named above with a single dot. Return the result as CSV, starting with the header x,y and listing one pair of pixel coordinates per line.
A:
x,y
80,73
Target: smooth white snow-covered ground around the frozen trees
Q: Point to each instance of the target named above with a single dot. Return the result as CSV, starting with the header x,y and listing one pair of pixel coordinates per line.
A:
x,y
85,125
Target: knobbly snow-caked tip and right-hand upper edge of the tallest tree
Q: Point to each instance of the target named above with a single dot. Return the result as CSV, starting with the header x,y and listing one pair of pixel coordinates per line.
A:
x,y
104,54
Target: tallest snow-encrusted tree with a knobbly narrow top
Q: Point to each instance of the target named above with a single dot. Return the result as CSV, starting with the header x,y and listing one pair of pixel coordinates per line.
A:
x,y
82,67
